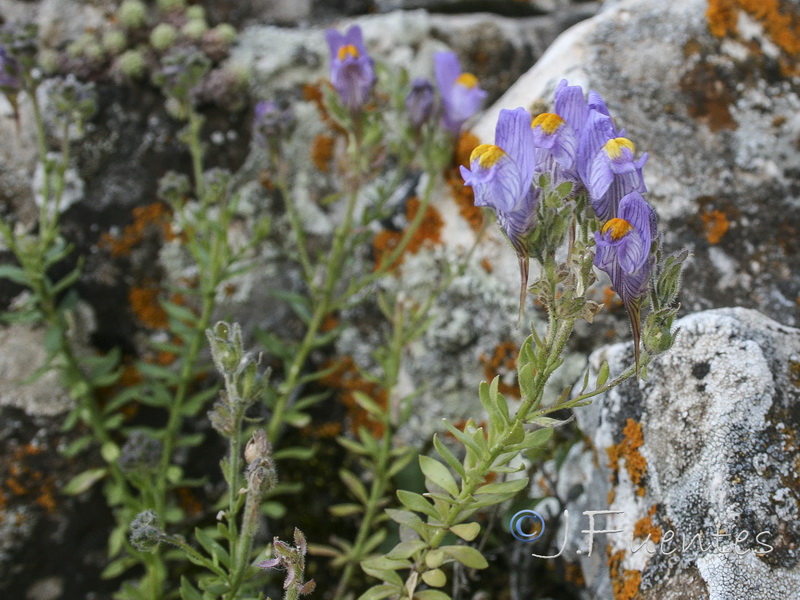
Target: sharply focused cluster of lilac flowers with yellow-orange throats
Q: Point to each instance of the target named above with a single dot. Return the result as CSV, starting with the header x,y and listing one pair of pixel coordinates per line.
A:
x,y
577,144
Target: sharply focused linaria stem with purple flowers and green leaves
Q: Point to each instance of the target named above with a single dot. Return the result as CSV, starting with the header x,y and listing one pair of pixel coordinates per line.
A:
x,y
558,180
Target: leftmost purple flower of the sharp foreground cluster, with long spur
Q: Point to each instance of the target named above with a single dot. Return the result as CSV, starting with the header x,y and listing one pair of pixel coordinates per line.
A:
x,y
501,177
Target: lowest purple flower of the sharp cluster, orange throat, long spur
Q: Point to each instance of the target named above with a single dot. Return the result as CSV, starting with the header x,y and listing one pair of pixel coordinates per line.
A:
x,y
623,252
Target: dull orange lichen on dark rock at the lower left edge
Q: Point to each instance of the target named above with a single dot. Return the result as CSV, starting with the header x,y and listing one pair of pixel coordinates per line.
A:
x,y
22,479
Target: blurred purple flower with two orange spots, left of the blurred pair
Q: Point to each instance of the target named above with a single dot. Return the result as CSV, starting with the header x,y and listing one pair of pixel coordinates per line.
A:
x,y
352,73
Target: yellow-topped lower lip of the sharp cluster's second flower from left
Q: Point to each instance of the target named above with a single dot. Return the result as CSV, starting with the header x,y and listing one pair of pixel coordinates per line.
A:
x,y
556,148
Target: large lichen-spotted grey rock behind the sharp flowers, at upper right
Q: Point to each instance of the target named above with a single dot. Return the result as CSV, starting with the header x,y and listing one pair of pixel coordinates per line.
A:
x,y
718,117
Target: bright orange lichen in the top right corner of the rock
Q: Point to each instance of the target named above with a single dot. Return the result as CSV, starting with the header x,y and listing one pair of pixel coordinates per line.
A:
x,y
781,24
